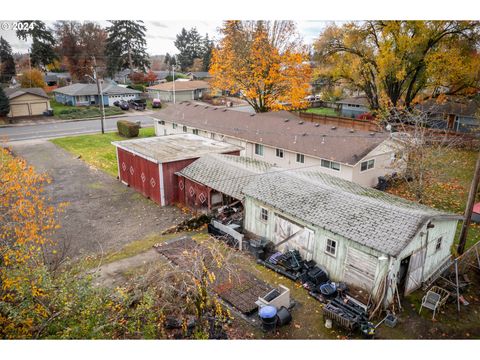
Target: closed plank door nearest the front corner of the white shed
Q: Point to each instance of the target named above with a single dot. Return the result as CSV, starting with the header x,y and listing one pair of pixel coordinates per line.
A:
x,y
360,269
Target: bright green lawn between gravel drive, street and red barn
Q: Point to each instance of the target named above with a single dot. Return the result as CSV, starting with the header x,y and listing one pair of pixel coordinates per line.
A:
x,y
97,149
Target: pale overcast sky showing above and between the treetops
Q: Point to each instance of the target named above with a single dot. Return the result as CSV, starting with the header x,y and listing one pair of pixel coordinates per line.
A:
x,y
161,34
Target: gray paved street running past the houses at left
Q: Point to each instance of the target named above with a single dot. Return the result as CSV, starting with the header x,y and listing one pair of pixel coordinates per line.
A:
x,y
46,131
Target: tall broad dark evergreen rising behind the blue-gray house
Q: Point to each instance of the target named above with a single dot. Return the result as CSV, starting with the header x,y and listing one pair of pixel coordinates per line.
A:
x,y
126,46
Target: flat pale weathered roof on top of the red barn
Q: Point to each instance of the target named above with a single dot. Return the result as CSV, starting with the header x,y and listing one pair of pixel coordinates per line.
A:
x,y
161,149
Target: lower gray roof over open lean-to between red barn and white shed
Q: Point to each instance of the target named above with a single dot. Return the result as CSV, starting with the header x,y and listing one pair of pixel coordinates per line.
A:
x,y
227,174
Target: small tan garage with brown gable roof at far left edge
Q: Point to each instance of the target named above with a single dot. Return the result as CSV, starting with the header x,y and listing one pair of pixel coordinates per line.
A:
x,y
27,101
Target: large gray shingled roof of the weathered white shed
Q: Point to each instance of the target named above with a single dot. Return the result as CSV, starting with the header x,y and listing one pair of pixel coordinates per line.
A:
x,y
367,216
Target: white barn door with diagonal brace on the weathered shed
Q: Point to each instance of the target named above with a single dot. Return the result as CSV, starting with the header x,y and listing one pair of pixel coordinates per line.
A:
x,y
299,238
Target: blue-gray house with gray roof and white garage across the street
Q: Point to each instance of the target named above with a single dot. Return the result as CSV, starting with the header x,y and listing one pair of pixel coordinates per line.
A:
x,y
87,94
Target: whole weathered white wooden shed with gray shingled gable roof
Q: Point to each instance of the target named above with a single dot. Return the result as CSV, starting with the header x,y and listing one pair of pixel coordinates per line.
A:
x,y
369,239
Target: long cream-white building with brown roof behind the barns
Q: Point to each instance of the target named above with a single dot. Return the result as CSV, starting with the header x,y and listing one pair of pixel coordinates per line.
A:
x,y
287,141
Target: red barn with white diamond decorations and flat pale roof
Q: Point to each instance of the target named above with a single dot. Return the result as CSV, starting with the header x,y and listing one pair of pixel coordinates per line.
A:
x,y
149,165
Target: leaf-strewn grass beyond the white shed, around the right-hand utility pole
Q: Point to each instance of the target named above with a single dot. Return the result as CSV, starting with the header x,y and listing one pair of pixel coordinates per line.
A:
x,y
449,190
